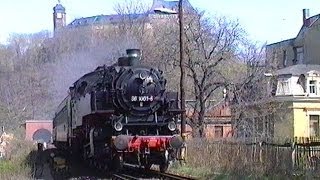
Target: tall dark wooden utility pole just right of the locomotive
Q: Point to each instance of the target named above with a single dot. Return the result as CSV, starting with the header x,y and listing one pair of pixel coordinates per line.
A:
x,y
182,71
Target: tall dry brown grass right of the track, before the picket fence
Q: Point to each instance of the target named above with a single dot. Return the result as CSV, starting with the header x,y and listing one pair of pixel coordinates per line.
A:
x,y
221,160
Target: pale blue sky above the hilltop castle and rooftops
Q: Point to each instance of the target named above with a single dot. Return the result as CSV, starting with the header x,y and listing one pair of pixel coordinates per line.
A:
x,y
264,20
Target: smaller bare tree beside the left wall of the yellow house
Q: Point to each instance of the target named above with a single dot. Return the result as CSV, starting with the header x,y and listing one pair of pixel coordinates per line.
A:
x,y
253,106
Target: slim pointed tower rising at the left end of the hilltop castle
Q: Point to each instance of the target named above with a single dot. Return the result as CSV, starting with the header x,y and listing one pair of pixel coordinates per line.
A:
x,y
59,17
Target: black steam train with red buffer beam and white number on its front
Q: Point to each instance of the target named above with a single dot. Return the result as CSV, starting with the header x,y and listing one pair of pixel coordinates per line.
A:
x,y
120,113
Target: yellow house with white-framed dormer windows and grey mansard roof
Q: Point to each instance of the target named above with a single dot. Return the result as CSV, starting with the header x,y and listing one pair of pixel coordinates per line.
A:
x,y
298,88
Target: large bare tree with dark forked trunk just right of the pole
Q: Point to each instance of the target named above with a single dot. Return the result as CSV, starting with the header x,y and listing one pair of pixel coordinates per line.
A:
x,y
209,42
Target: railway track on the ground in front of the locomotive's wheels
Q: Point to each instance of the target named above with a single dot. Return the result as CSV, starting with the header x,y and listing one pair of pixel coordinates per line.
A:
x,y
134,172
